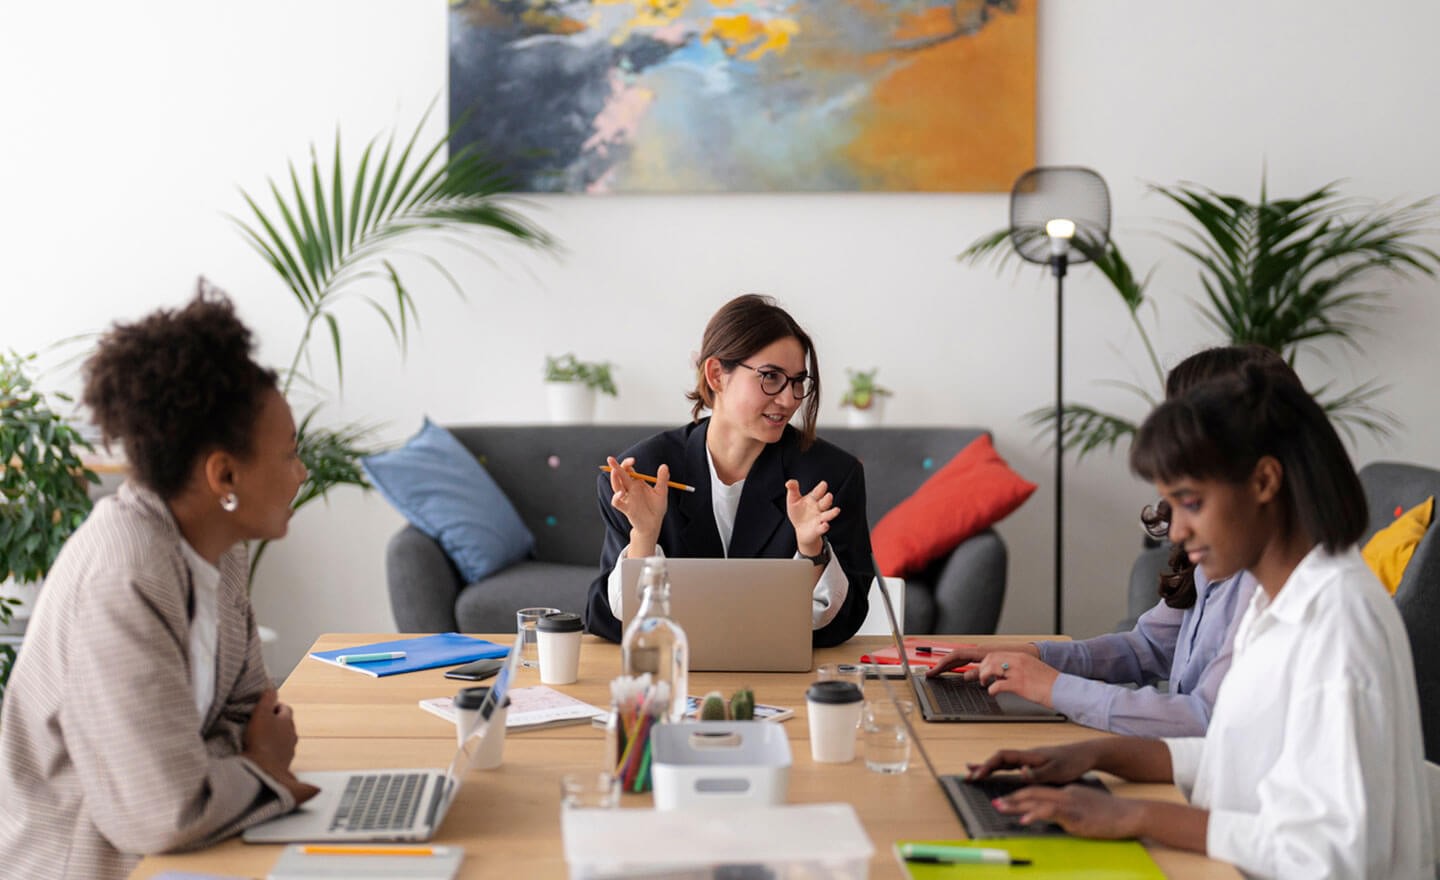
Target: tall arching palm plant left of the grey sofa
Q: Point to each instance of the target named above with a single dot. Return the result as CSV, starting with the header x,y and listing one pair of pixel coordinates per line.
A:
x,y
338,228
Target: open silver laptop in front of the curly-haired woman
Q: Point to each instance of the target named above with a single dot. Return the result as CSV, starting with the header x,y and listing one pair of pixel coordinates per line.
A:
x,y
387,804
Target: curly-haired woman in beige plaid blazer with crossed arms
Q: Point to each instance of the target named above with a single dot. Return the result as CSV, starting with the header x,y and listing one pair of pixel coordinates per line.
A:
x,y
140,717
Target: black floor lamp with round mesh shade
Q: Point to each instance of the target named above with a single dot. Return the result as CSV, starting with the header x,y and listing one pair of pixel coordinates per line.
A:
x,y
1059,217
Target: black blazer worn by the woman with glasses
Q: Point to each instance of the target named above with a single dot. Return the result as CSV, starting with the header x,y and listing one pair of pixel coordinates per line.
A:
x,y
762,526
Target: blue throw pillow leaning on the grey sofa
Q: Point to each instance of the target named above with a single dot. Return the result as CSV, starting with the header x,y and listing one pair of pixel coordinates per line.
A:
x,y
440,488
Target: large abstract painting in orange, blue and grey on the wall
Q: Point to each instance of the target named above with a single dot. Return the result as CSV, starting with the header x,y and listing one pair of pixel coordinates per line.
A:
x,y
747,96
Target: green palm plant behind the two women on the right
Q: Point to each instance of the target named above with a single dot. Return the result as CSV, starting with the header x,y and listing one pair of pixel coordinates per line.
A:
x,y
1291,274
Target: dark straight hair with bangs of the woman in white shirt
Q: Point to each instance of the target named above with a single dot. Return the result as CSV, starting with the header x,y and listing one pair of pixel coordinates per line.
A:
x,y
1222,428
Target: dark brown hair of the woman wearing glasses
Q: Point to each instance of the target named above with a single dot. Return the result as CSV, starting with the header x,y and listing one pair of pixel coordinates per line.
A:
x,y
742,328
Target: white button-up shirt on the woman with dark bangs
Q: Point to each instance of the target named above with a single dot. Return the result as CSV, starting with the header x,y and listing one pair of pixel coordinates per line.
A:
x,y
1314,765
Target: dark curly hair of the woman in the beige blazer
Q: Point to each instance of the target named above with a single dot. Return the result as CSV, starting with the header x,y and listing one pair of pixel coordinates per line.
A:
x,y
175,387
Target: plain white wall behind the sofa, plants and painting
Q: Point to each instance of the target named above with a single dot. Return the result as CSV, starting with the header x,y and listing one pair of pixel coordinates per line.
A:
x,y
126,130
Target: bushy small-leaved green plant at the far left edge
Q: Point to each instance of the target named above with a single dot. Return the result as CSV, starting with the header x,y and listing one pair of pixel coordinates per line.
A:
x,y
44,492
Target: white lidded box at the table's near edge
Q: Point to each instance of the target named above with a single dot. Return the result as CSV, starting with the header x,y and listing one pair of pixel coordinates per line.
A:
x,y
803,842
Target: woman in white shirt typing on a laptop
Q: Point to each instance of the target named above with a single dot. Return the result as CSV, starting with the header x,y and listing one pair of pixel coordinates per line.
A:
x,y
1313,765
